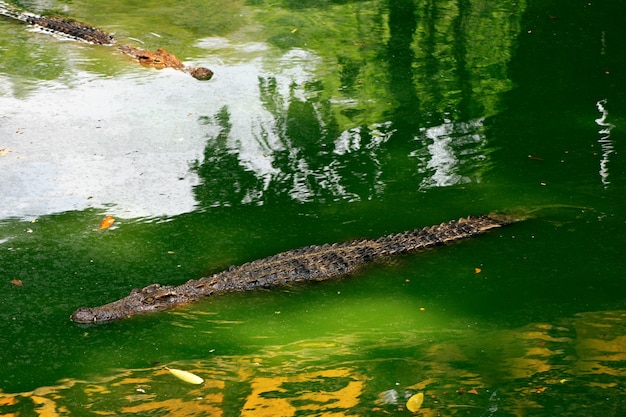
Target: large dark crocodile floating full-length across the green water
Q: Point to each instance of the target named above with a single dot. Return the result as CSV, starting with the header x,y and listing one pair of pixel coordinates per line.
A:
x,y
310,263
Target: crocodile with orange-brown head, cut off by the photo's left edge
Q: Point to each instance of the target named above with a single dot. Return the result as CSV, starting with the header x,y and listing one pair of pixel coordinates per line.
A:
x,y
70,29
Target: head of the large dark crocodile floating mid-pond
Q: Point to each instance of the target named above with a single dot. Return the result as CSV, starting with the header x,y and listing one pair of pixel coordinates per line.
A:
x,y
151,298
